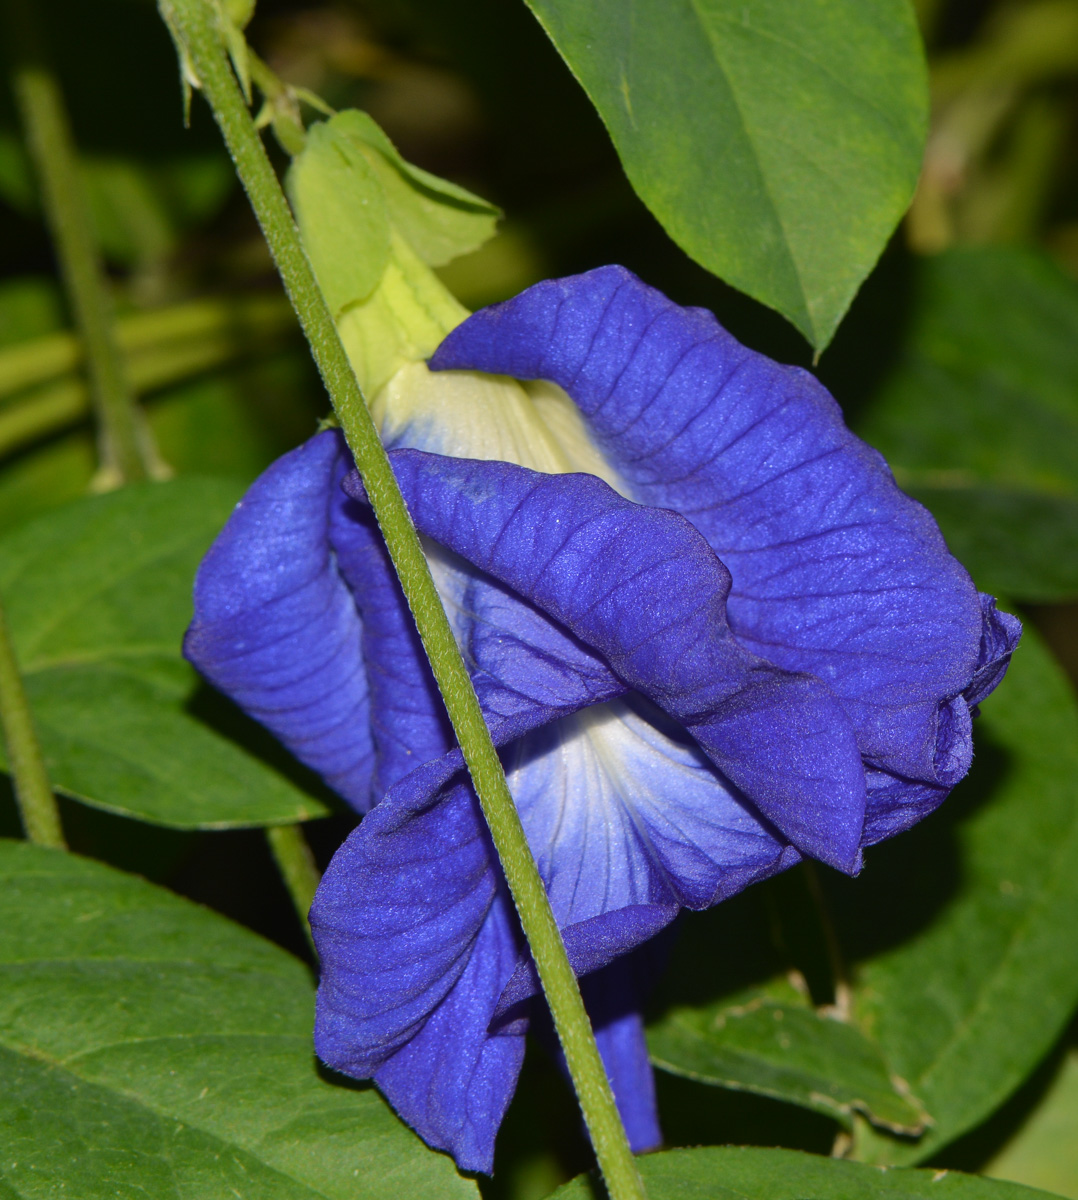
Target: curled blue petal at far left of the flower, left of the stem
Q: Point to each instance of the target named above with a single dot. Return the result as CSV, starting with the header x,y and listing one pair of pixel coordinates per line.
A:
x,y
276,626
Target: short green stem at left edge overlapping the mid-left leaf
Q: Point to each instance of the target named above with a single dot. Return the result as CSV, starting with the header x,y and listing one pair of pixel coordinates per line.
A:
x,y
33,791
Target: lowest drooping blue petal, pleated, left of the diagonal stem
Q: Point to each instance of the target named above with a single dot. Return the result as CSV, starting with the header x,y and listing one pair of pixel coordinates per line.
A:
x,y
417,946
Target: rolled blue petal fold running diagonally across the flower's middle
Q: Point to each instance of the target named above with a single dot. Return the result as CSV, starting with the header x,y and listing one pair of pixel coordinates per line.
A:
x,y
640,587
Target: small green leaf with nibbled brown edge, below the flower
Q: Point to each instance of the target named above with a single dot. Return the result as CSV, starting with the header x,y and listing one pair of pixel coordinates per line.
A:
x,y
788,1052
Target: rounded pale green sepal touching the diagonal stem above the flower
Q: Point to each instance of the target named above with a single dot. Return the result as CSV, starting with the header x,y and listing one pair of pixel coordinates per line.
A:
x,y
342,211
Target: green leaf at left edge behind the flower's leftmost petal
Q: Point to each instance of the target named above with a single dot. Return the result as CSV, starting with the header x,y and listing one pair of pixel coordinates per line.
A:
x,y
99,596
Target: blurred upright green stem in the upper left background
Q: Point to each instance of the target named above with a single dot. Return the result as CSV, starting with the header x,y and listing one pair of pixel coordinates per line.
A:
x,y
41,106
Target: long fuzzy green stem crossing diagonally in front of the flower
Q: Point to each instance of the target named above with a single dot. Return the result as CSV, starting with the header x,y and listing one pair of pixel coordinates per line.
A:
x,y
194,25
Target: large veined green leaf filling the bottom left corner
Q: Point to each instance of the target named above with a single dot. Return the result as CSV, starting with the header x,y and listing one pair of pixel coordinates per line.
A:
x,y
151,1048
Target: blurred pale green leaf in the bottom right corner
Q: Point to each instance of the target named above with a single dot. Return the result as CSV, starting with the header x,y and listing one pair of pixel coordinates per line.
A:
x,y
1045,1151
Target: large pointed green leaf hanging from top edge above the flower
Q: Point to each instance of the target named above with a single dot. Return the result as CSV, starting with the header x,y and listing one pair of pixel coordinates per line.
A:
x,y
778,142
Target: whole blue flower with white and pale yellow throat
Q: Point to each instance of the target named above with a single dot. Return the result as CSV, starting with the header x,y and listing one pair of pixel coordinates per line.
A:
x,y
744,647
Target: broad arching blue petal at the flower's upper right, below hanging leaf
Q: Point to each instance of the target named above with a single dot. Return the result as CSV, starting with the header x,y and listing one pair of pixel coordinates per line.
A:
x,y
835,571
